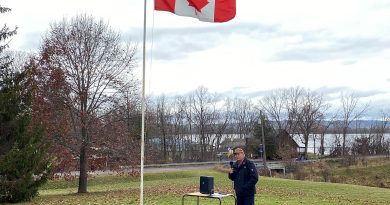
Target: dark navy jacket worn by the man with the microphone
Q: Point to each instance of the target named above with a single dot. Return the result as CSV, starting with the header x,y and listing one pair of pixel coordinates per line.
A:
x,y
245,178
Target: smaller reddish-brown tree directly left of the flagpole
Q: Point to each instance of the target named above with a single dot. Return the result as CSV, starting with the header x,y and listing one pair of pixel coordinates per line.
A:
x,y
122,127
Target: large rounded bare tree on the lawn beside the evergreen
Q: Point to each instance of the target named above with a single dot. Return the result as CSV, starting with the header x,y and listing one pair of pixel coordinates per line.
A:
x,y
95,62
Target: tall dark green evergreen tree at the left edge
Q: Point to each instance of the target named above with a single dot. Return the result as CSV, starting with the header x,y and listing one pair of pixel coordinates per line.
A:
x,y
24,164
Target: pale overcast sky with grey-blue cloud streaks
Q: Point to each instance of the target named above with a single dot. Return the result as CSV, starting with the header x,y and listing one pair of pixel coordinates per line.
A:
x,y
329,46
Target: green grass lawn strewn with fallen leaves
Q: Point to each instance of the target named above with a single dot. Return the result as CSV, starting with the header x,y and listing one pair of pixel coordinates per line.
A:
x,y
168,188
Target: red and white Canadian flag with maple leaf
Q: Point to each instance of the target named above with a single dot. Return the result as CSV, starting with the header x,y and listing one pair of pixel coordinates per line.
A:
x,y
204,10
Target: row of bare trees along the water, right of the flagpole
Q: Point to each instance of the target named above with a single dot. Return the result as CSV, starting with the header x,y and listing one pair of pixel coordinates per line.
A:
x,y
196,126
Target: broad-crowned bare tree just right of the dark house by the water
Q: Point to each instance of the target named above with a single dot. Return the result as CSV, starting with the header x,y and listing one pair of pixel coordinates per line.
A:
x,y
295,110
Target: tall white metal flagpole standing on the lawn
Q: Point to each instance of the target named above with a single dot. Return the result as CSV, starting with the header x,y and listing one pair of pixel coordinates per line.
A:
x,y
141,195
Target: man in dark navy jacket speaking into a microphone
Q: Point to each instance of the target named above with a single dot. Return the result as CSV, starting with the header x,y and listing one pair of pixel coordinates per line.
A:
x,y
245,177
